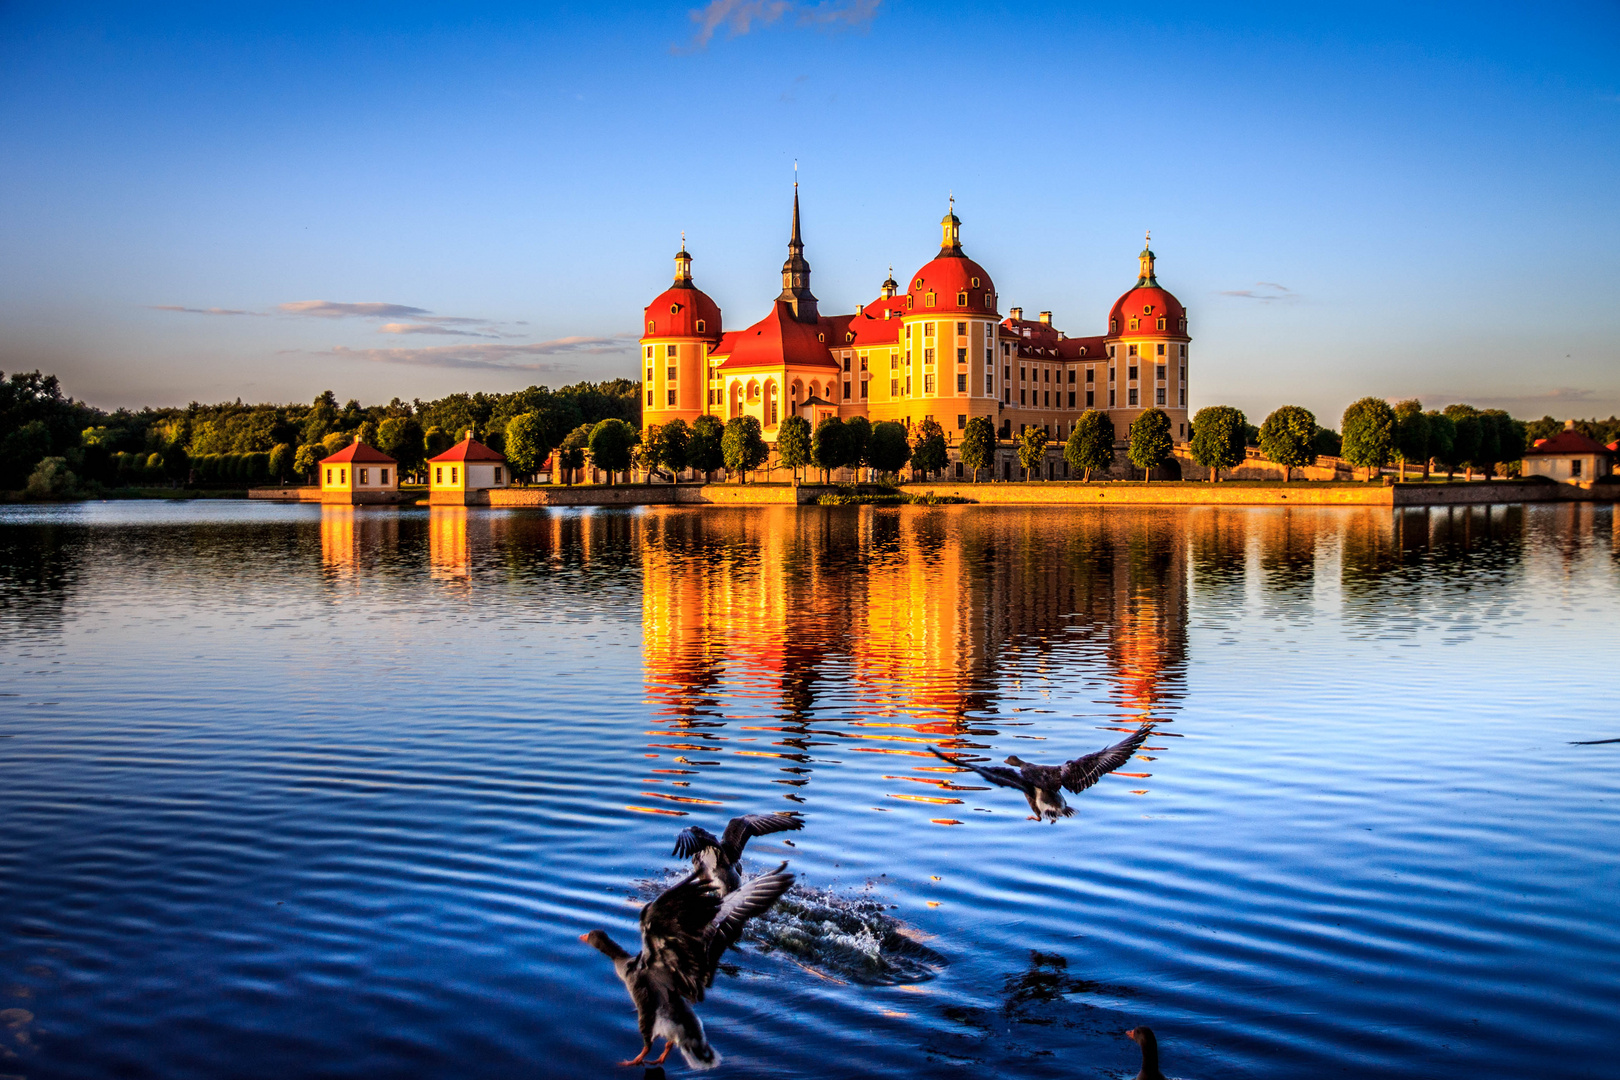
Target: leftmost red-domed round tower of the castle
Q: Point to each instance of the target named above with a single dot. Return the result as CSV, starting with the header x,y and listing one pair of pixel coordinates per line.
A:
x,y
680,330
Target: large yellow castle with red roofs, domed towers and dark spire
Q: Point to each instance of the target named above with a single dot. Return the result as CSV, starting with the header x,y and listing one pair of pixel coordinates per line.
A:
x,y
937,349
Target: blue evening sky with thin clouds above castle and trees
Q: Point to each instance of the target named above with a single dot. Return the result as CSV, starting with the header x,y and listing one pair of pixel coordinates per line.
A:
x,y
270,202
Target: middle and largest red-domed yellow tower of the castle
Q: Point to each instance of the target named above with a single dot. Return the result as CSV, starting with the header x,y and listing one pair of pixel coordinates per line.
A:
x,y
949,341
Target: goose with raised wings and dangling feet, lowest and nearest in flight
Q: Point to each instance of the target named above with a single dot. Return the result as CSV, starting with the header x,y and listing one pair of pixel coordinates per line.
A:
x,y
684,933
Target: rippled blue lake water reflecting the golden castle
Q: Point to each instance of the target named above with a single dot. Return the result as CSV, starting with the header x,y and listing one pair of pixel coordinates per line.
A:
x,y
292,793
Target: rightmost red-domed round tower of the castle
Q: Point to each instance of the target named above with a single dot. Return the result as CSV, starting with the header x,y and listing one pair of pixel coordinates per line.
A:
x,y
1148,354
